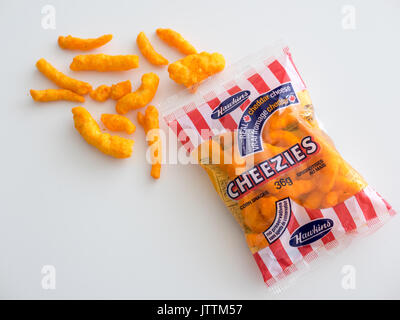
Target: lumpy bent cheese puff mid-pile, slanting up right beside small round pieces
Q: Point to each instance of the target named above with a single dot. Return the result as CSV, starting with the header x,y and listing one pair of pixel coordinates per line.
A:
x,y
141,96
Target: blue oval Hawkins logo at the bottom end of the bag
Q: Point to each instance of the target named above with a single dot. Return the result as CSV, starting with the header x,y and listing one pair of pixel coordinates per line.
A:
x,y
310,232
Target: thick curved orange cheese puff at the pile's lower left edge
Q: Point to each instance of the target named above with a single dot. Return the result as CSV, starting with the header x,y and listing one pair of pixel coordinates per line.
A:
x,y
114,146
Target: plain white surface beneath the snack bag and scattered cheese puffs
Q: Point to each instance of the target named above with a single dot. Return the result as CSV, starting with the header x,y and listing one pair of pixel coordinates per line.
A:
x,y
113,232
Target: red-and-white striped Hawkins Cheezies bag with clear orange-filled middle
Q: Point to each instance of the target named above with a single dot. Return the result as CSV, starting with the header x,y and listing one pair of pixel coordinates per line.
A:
x,y
253,130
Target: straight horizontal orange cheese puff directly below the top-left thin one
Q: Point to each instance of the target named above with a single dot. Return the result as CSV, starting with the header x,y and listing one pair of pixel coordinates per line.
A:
x,y
102,62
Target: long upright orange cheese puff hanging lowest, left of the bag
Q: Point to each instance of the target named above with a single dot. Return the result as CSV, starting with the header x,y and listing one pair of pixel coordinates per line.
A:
x,y
150,124
